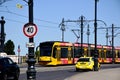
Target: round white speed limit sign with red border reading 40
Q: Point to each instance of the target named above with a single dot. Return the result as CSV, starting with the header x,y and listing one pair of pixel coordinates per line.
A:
x,y
30,30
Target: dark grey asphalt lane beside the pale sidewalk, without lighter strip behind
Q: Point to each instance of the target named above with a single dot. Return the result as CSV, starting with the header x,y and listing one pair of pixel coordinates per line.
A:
x,y
51,75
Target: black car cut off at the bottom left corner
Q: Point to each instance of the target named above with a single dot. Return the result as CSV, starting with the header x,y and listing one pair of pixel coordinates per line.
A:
x,y
8,69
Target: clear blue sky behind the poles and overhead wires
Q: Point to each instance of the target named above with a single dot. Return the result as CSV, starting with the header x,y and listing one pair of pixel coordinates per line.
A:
x,y
48,15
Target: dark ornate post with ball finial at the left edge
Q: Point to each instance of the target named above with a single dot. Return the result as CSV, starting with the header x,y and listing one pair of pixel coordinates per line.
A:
x,y
2,34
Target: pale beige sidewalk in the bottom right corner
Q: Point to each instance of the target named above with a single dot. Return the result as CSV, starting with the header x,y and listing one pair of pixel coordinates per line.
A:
x,y
103,74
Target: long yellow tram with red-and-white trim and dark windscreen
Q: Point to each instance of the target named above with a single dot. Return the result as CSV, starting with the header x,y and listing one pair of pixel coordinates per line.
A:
x,y
62,53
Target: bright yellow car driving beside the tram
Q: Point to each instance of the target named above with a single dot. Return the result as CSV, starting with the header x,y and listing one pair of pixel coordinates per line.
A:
x,y
85,63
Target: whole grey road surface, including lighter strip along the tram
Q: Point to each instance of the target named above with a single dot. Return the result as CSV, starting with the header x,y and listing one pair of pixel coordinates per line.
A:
x,y
58,73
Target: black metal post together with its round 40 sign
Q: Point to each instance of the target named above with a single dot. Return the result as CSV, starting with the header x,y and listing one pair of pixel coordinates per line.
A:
x,y
30,29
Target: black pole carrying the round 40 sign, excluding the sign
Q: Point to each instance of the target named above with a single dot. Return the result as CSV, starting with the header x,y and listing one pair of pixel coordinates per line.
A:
x,y
31,72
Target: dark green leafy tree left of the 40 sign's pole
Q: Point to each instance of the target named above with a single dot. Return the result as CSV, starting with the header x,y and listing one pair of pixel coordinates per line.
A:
x,y
9,47
